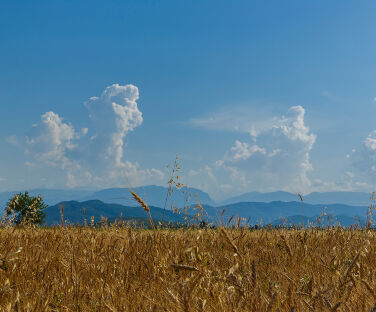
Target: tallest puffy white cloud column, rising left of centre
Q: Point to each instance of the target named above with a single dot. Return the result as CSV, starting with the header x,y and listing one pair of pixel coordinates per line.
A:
x,y
114,114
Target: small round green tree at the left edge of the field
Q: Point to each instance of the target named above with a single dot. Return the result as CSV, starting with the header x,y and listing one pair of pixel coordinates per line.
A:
x,y
26,209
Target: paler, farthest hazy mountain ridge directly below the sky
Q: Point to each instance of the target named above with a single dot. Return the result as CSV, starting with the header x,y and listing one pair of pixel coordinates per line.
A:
x,y
156,196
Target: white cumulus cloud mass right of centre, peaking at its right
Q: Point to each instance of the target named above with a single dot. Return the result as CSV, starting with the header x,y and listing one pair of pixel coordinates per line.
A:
x,y
281,158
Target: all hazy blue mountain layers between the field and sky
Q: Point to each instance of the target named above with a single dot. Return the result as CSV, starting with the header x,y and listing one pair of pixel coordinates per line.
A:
x,y
264,207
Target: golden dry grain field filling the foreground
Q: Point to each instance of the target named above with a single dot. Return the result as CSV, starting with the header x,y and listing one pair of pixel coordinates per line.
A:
x,y
124,269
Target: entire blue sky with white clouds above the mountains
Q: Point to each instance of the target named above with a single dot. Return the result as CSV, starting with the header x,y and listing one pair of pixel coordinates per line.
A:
x,y
252,95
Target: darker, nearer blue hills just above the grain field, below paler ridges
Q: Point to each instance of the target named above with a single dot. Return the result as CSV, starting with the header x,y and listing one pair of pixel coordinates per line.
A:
x,y
275,213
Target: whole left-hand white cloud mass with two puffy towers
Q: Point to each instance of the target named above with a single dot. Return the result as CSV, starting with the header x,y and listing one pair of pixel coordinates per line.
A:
x,y
95,156
